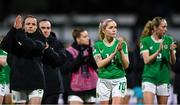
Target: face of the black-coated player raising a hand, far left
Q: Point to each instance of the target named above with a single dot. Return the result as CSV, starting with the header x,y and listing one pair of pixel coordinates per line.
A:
x,y
30,25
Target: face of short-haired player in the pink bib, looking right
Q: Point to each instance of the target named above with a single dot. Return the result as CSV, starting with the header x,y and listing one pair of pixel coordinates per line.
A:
x,y
84,38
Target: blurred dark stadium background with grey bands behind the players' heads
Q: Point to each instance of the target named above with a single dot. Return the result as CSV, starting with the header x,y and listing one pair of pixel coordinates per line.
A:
x,y
131,15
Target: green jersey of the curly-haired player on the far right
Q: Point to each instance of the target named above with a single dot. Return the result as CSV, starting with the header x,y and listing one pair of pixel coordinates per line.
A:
x,y
158,71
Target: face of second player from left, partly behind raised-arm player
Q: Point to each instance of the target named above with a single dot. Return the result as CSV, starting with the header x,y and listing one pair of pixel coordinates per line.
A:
x,y
45,27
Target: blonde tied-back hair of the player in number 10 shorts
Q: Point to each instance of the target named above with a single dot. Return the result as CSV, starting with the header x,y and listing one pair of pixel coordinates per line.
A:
x,y
102,26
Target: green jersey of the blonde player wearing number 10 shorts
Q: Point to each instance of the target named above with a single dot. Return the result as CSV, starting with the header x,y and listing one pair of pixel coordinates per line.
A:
x,y
114,69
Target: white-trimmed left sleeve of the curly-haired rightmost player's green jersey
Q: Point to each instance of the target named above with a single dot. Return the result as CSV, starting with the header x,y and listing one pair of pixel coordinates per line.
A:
x,y
143,45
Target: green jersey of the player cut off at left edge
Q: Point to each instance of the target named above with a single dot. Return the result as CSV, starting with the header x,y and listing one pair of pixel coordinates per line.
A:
x,y
4,70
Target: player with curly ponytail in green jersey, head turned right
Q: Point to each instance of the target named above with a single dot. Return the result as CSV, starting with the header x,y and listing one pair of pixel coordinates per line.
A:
x,y
157,50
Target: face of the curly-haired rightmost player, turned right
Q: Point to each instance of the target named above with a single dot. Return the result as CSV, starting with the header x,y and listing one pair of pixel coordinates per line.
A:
x,y
162,28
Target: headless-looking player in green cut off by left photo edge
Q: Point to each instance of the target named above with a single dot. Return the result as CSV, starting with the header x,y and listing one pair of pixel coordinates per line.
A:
x,y
4,77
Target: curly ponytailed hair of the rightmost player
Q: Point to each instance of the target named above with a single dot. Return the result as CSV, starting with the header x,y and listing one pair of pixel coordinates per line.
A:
x,y
150,25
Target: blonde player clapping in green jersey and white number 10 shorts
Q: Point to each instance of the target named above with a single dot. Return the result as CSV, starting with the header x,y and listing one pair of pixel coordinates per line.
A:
x,y
111,56
